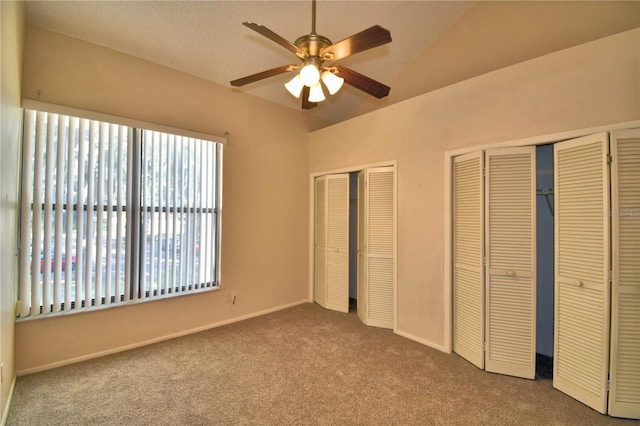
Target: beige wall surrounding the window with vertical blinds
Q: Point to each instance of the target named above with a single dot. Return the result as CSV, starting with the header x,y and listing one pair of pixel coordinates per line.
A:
x,y
264,231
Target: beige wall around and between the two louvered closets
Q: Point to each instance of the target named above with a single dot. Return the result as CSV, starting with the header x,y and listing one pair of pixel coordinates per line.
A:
x,y
594,84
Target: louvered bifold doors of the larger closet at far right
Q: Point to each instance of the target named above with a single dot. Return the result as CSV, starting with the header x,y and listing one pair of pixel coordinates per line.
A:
x,y
596,341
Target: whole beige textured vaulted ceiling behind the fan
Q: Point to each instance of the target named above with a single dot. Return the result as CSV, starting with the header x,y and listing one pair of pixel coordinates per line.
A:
x,y
435,43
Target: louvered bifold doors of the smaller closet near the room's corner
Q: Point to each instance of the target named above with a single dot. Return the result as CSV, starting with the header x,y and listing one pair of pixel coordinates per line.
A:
x,y
375,244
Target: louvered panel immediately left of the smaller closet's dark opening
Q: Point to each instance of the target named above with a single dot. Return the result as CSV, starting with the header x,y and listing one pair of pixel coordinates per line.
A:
x,y
338,242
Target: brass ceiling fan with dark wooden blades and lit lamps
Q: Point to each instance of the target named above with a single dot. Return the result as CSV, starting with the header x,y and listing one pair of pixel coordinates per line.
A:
x,y
314,50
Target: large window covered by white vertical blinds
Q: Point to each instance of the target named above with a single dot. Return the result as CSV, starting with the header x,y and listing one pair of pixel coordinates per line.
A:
x,y
112,214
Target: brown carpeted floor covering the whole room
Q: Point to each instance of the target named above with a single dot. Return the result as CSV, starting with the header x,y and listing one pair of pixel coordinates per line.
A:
x,y
301,366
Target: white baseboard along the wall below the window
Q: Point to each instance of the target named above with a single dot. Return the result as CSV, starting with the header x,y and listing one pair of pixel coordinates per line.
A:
x,y
154,340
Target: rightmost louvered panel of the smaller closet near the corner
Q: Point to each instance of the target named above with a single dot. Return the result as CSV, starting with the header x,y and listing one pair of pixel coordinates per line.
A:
x,y
380,246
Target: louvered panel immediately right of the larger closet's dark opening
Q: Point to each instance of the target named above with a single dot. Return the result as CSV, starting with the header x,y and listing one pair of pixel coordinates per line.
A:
x,y
581,228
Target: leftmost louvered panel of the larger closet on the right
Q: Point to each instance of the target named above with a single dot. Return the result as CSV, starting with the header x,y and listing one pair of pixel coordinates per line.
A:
x,y
468,275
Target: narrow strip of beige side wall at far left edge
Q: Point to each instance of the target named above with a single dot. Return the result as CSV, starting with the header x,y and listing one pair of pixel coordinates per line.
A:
x,y
13,17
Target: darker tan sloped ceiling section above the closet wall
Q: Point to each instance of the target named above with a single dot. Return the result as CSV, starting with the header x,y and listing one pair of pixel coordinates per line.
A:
x,y
512,32
